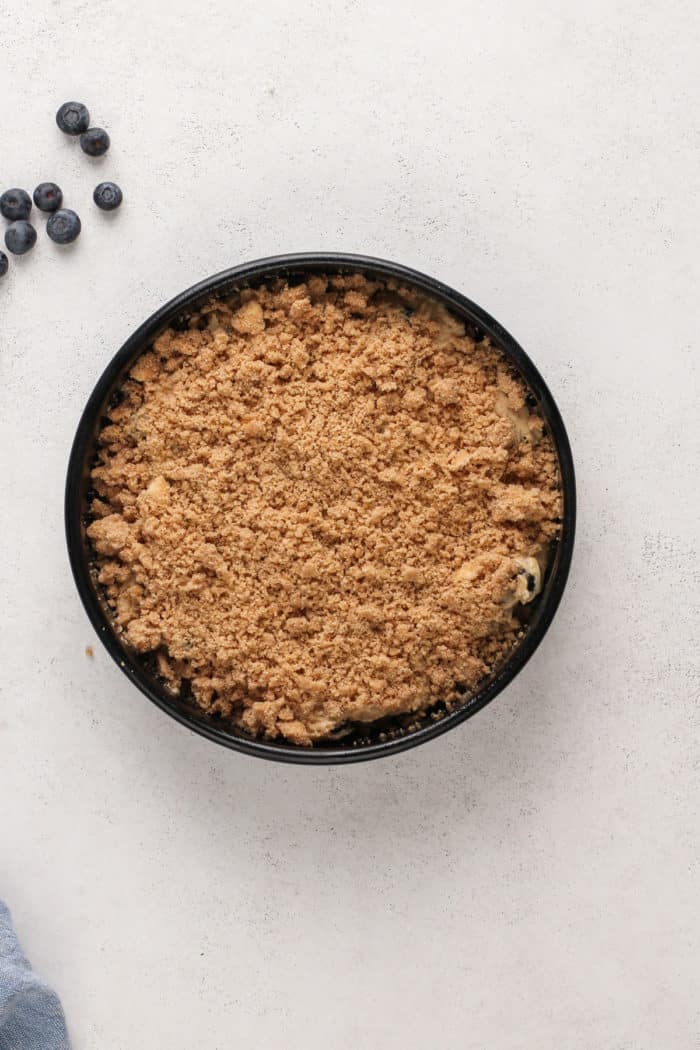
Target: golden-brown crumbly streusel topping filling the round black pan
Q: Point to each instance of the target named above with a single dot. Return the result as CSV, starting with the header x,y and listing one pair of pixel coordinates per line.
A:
x,y
322,506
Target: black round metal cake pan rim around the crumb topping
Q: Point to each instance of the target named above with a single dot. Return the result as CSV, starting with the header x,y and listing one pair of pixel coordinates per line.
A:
x,y
372,741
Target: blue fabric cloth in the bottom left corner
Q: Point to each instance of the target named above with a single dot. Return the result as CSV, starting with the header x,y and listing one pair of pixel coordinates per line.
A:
x,y
31,1014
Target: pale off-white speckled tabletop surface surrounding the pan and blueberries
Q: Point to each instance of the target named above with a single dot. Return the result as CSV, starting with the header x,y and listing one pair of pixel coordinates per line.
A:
x,y
532,880
